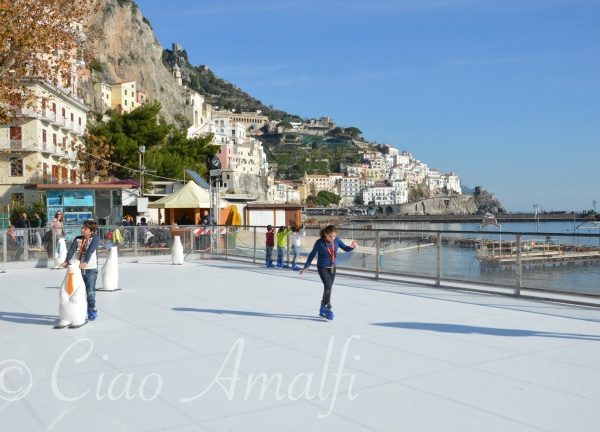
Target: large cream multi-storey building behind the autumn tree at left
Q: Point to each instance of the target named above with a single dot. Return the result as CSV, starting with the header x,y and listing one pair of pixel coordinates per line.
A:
x,y
41,144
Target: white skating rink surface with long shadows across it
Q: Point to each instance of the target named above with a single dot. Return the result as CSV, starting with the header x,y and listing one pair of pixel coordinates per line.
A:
x,y
224,346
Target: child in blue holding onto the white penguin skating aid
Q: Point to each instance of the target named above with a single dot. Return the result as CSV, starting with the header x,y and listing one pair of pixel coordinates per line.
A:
x,y
85,247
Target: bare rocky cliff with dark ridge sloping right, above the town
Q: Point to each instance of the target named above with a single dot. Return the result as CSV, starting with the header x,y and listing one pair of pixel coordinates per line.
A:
x,y
124,48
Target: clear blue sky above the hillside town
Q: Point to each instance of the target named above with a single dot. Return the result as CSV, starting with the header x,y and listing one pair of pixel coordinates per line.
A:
x,y
504,93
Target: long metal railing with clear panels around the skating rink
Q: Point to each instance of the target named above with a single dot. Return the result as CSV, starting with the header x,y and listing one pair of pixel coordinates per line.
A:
x,y
557,266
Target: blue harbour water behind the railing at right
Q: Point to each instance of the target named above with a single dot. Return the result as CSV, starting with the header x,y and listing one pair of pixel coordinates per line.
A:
x,y
418,257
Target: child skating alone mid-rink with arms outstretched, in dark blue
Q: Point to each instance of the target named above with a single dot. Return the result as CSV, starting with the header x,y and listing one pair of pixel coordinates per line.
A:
x,y
326,250
